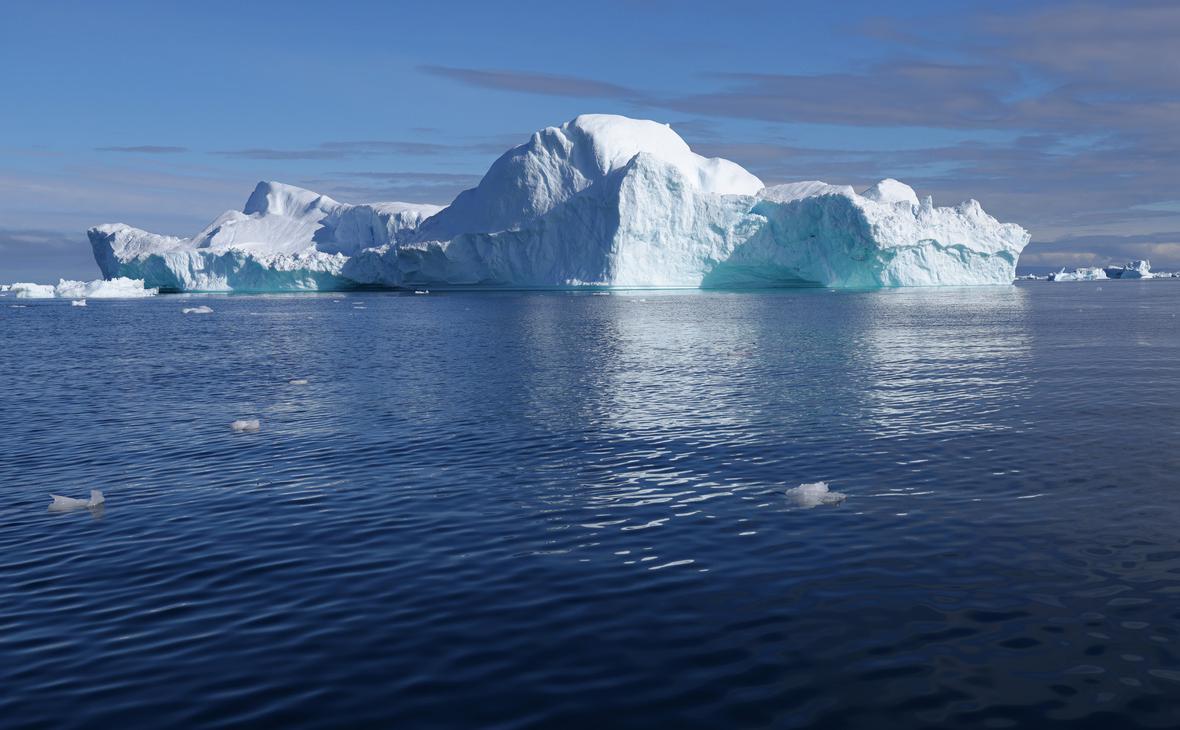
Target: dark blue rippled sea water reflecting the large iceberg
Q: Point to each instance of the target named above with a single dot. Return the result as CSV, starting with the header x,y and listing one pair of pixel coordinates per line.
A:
x,y
567,511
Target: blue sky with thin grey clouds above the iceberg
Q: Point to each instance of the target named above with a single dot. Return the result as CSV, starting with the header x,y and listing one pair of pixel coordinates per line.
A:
x,y
1064,117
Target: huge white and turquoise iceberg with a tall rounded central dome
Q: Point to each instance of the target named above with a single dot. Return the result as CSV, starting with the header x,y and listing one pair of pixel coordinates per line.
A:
x,y
602,201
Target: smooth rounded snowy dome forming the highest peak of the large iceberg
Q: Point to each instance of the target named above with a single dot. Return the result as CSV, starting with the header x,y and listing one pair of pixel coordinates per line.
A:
x,y
560,162
